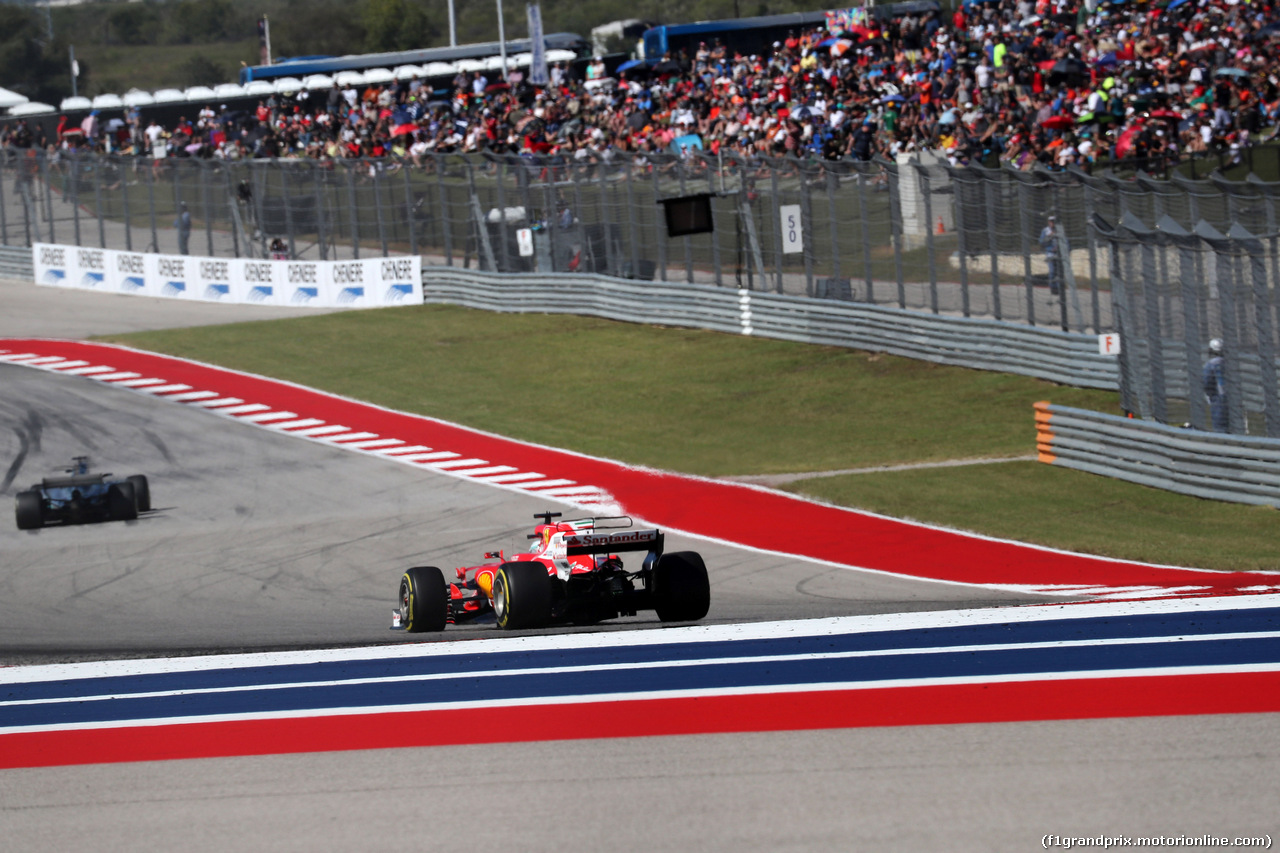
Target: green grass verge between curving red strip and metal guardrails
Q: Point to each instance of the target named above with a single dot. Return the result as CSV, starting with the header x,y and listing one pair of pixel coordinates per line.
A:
x,y
716,405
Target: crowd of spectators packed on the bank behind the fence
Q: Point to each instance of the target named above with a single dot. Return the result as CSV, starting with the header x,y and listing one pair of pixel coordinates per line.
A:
x,y
1025,83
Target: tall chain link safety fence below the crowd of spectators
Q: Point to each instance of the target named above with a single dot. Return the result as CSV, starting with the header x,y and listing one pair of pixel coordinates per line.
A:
x,y
917,235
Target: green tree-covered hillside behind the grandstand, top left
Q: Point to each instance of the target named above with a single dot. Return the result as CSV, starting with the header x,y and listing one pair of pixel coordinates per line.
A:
x,y
35,61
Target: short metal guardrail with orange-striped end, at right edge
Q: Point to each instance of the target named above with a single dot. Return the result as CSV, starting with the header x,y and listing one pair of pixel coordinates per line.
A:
x,y
1241,469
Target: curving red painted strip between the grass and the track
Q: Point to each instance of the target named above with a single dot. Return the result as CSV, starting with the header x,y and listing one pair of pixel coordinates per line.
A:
x,y
744,516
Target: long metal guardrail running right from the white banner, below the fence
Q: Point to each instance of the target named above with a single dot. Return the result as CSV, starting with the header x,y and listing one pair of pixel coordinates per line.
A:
x,y
985,345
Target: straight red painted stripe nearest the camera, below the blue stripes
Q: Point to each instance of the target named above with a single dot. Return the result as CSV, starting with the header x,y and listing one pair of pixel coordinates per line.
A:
x,y
900,706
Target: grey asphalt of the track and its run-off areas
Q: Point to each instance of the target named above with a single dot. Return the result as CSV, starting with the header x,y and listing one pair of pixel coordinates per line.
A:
x,y
260,541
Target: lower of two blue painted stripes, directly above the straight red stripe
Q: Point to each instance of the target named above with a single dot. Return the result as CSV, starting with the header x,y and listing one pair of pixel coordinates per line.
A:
x,y
746,674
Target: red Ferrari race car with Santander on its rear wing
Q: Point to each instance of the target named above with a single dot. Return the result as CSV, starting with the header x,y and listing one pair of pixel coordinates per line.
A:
x,y
572,574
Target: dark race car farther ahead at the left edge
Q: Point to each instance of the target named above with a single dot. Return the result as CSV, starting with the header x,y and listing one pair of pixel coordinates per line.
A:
x,y
83,498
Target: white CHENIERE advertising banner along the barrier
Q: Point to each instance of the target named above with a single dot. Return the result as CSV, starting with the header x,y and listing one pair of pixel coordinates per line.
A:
x,y
353,284
